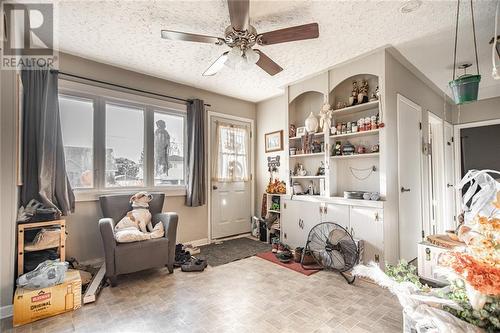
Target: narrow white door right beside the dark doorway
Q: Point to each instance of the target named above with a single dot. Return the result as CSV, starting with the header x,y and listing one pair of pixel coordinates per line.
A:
x,y
449,175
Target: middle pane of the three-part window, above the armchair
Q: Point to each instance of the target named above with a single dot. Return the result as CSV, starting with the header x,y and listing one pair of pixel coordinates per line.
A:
x,y
124,146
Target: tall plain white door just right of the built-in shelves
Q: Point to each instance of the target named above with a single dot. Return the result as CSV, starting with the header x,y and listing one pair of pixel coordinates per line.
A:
x,y
410,177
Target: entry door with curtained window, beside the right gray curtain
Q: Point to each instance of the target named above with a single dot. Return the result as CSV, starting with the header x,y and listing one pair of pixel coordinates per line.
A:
x,y
231,196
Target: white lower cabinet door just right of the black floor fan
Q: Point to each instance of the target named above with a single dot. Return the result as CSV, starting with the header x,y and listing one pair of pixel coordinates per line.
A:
x,y
367,225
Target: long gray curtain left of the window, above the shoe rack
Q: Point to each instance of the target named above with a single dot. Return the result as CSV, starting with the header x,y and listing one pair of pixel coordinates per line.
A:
x,y
44,169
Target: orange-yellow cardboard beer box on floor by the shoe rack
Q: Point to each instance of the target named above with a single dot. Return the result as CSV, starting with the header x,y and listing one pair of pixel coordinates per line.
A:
x,y
32,305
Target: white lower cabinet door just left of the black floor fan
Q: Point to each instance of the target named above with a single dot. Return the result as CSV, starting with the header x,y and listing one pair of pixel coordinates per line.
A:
x,y
297,218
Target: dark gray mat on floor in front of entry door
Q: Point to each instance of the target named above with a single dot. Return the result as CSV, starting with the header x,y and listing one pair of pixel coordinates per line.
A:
x,y
231,250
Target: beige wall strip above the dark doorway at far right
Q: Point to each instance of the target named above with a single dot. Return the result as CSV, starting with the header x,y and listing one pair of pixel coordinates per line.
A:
x,y
485,109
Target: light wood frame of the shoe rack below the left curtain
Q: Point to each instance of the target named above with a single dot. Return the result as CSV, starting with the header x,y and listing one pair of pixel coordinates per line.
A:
x,y
21,227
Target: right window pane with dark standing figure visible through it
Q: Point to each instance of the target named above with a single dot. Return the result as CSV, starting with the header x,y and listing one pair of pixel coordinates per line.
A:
x,y
168,149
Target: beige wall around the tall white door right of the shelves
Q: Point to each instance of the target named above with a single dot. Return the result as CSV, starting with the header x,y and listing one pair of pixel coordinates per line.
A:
x,y
400,80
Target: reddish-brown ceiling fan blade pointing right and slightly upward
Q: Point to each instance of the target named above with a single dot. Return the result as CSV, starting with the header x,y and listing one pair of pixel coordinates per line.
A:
x,y
300,32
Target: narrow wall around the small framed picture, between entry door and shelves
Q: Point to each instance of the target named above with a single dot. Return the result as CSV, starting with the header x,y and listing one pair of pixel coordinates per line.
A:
x,y
271,116
